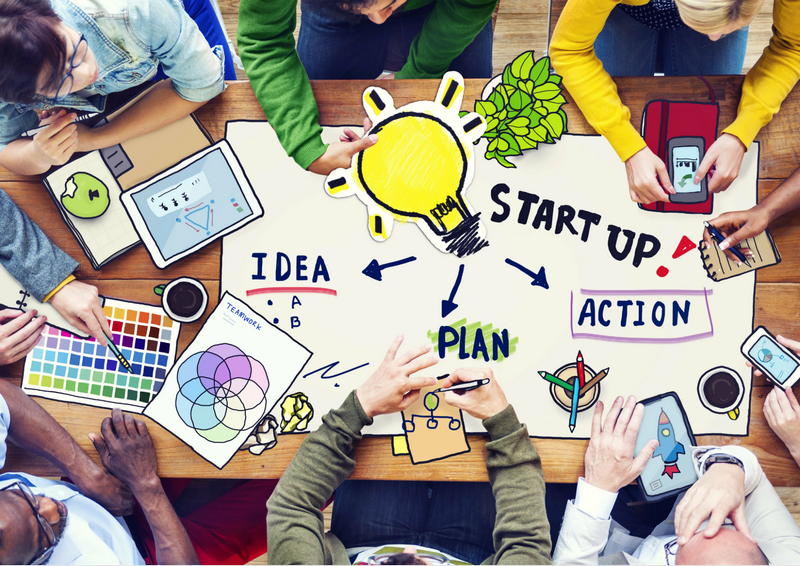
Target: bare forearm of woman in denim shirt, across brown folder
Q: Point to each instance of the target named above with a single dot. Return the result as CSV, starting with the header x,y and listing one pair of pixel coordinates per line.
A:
x,y
160,107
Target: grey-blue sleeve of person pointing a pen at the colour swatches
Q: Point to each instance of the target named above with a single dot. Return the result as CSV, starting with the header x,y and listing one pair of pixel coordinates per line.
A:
x,y
27,254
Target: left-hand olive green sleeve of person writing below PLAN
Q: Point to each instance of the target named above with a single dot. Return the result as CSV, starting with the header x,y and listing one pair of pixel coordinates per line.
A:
x,y
295,528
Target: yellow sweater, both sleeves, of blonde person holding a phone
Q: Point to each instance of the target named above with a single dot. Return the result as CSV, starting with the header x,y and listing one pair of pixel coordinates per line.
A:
x,y
765,86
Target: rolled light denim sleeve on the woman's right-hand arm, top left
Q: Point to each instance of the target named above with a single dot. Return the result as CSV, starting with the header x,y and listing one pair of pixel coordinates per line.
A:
x,y
164,27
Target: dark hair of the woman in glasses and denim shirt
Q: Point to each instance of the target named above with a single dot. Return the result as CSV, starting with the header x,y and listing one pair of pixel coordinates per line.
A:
x,y
29,44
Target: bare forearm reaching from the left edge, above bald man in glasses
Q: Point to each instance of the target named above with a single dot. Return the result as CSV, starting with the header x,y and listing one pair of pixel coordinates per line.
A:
x,y
33,429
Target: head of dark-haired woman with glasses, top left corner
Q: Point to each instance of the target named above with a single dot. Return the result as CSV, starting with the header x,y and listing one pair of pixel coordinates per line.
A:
x,y
36,52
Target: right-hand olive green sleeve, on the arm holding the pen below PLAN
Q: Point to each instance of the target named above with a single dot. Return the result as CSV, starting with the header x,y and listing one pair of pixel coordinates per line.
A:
x,y
521,531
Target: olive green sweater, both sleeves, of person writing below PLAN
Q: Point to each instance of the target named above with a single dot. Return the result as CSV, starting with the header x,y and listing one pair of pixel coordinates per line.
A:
x,y
295,532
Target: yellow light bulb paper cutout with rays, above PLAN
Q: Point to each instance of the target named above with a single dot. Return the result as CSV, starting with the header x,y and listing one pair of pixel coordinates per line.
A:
x,y
420,168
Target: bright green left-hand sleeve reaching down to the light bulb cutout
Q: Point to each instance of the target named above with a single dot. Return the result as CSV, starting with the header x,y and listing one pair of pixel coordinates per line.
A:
x,y
266,46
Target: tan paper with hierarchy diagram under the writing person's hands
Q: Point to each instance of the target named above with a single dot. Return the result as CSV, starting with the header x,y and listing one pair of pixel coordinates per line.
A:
x,y
433,429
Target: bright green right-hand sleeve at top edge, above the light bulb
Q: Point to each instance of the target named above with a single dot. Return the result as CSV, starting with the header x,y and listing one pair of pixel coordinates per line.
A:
x,y
450,27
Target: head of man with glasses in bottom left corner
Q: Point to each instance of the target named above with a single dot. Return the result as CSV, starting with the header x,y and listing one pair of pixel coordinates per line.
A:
x,y
22,537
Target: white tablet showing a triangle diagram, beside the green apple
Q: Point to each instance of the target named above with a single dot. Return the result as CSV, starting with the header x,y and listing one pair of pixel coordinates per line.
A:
x,y
202,198
